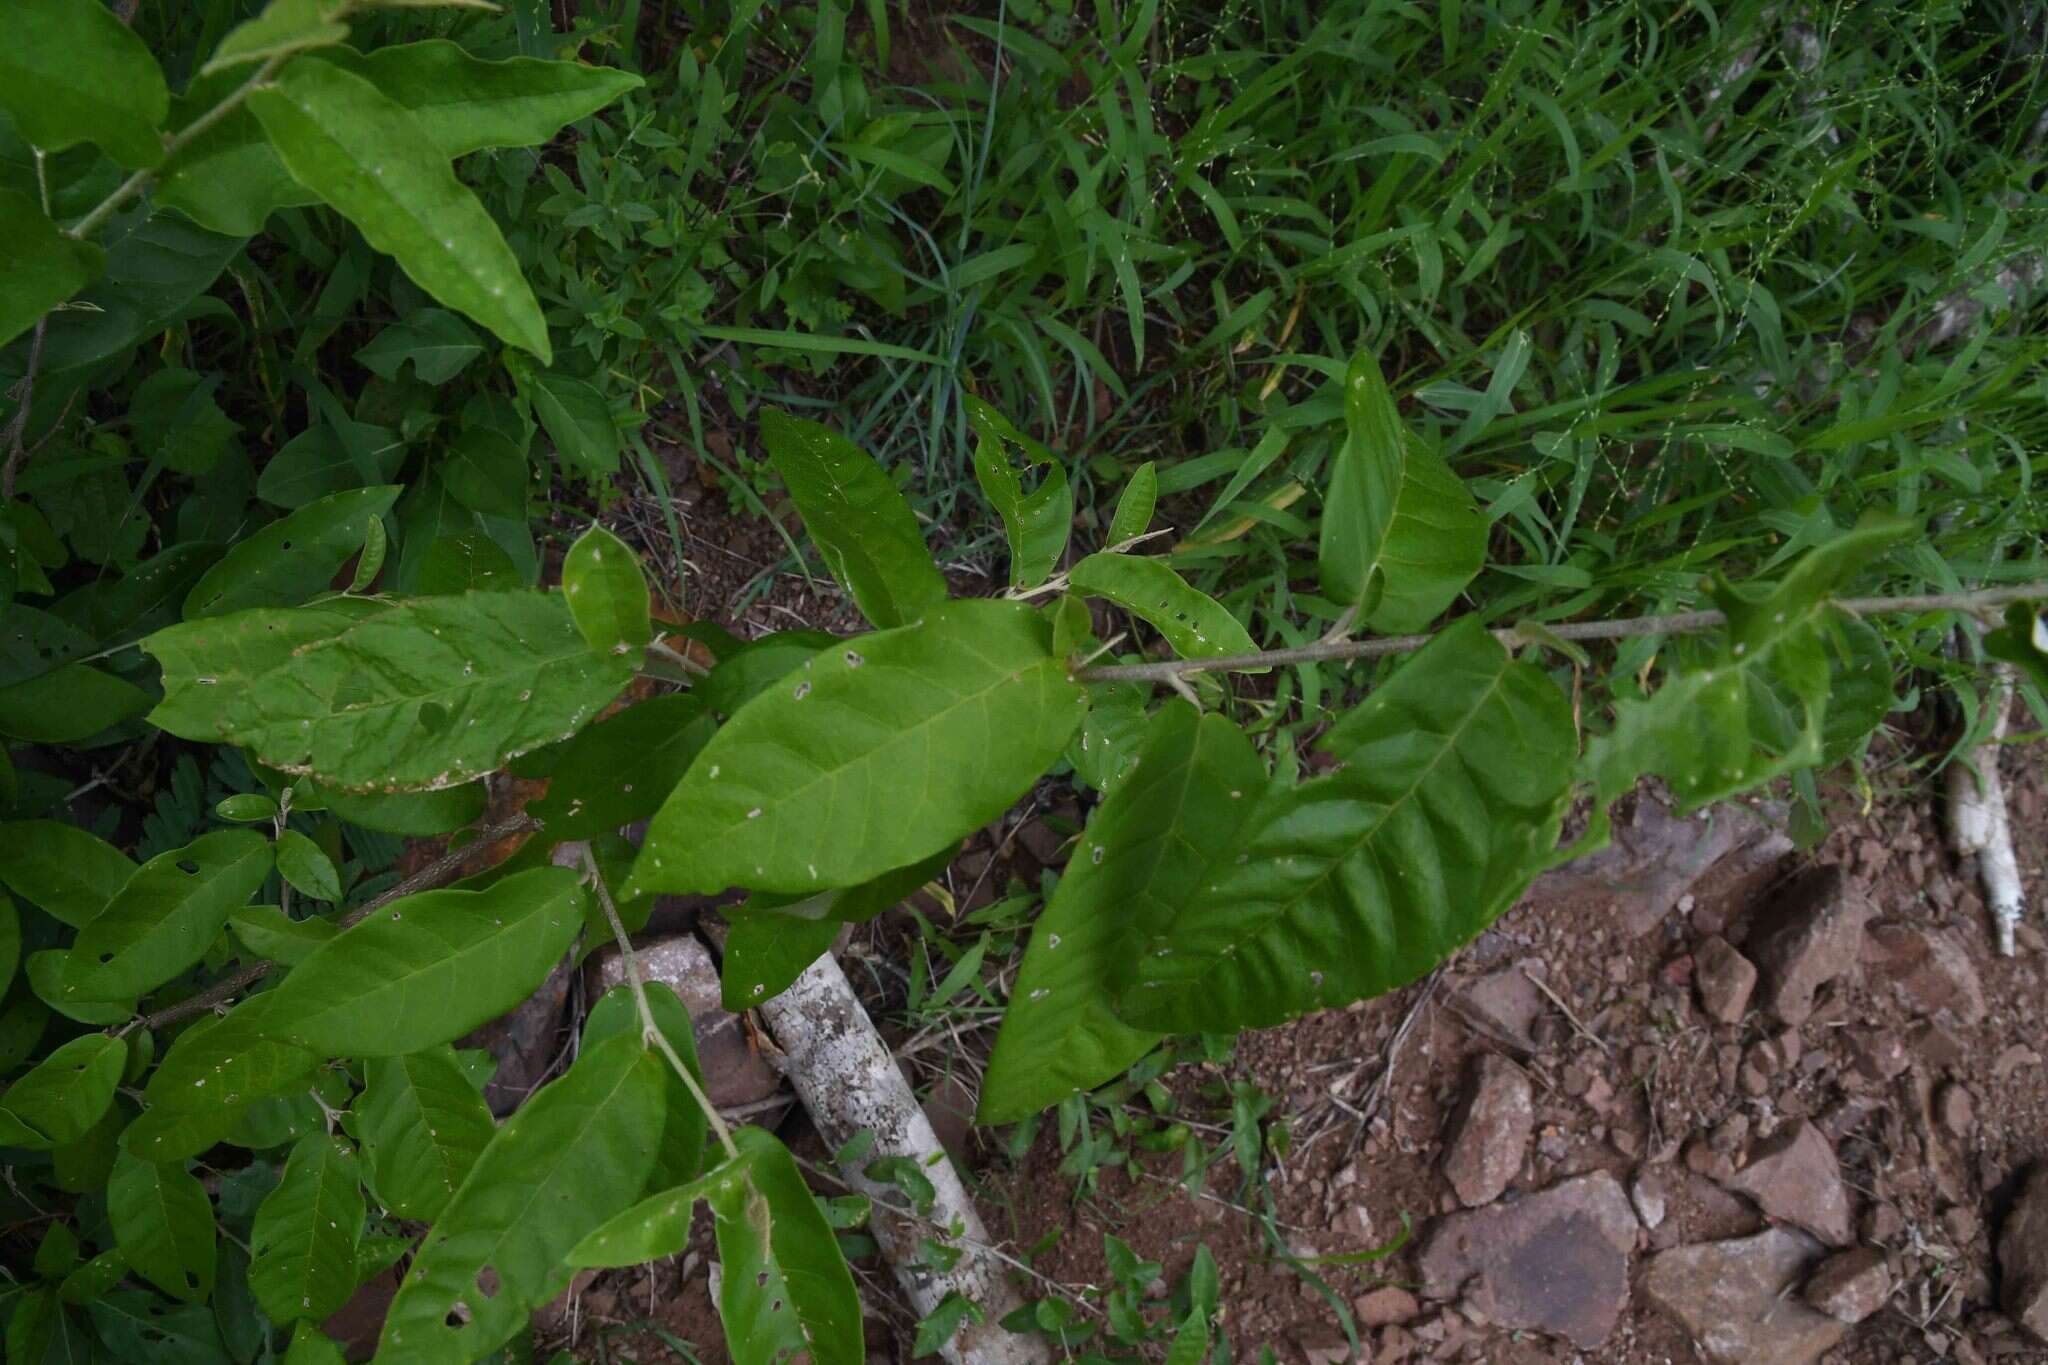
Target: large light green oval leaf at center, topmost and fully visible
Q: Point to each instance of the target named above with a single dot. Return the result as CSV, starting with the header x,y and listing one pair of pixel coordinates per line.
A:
x,y
886,750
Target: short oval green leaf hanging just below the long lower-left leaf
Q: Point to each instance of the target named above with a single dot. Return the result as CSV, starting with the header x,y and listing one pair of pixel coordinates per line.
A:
x,y
423,1127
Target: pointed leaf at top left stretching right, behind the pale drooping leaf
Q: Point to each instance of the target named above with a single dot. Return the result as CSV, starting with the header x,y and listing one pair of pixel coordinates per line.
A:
x,y
466,103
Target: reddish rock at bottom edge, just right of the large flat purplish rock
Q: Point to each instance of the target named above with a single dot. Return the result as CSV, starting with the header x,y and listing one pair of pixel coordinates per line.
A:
x,y
1734,1298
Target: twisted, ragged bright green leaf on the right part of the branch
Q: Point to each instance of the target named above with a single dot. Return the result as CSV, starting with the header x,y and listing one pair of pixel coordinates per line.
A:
x,y
1752,705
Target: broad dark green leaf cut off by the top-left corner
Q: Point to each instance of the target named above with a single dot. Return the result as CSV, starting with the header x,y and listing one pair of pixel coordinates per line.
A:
x,y
73,73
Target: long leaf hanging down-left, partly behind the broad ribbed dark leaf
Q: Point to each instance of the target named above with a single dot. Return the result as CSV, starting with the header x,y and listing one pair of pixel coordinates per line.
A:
x,y
1140,863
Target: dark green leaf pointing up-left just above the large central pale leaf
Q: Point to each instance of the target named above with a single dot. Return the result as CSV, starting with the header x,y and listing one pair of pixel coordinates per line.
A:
x,y
857,517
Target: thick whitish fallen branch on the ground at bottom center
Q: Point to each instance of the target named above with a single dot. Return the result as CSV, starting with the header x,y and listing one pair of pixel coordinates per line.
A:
x,y
851,1084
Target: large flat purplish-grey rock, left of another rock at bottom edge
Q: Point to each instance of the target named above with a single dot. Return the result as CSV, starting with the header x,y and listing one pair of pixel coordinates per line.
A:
x,y
1555,1262
